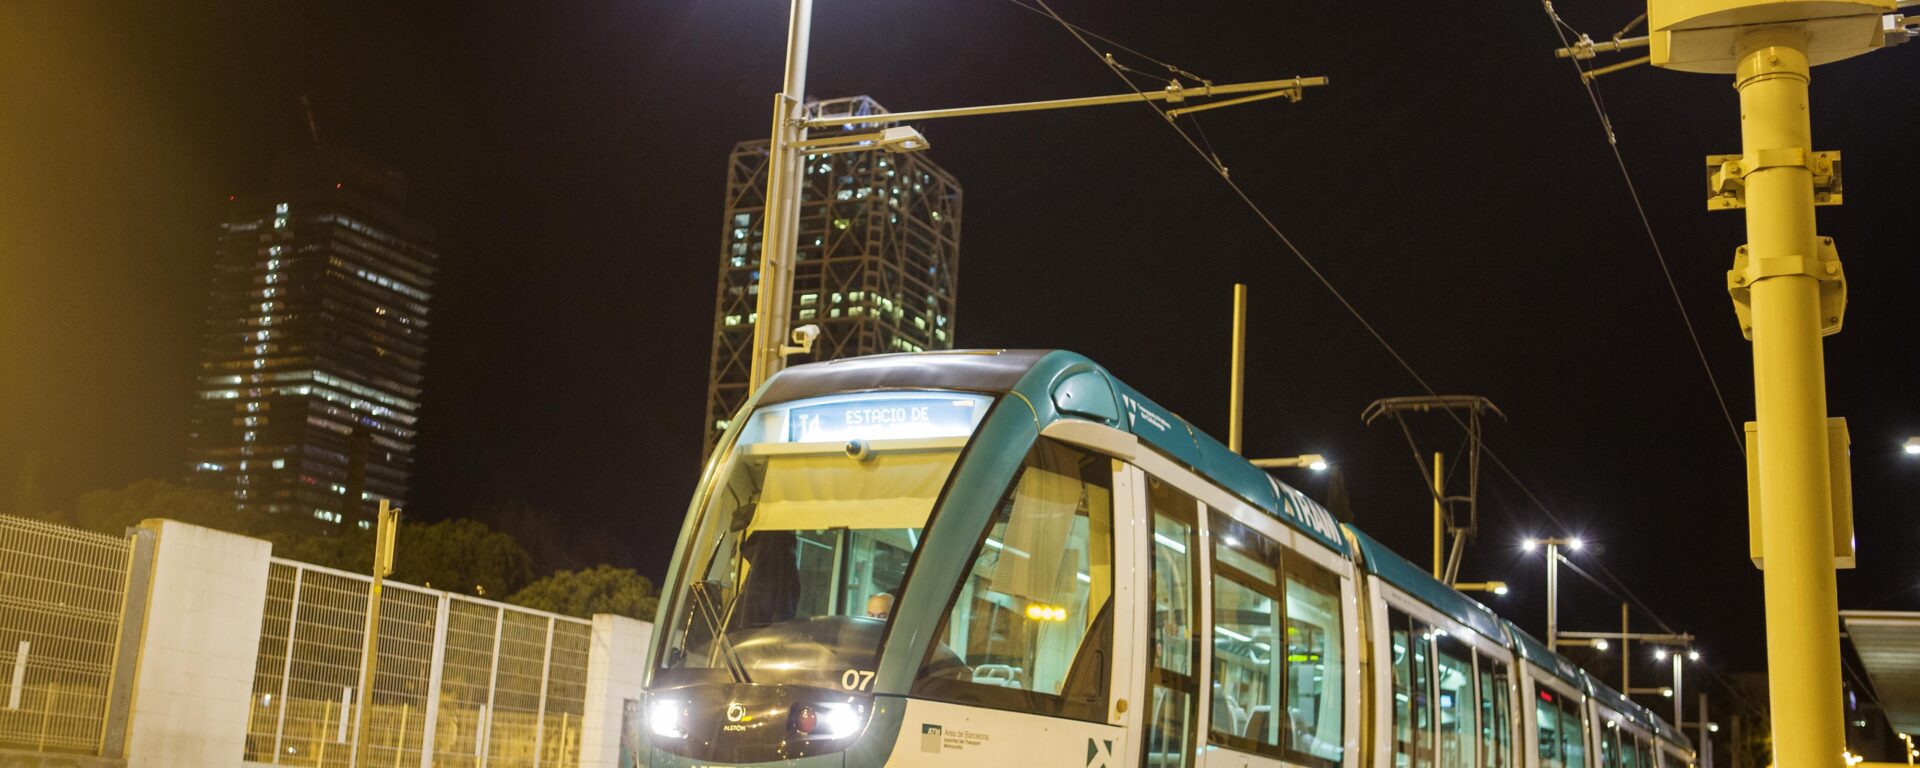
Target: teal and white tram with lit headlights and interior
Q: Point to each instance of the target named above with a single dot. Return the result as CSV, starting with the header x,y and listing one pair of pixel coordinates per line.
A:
x,y
1015,560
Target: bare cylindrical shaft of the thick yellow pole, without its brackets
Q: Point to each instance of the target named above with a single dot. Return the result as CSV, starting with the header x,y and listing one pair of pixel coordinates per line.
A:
x,y
1790,400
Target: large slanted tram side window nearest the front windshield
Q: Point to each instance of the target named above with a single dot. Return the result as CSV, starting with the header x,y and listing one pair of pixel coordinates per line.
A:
x,y
1030,627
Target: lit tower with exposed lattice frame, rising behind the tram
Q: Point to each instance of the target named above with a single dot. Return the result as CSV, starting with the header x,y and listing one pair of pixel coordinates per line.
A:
x,y
878,258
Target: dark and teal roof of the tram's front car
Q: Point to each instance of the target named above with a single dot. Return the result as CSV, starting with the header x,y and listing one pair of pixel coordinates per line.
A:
x,y
1065,385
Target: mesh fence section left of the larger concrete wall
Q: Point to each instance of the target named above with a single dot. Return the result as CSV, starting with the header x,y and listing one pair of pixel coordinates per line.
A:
x,y
62,592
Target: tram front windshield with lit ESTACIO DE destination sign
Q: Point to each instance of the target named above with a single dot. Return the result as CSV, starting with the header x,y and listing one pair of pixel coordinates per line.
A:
x,y
805,537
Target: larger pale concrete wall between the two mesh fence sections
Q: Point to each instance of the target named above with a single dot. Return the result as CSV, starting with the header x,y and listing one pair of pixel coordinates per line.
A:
x,y
195,679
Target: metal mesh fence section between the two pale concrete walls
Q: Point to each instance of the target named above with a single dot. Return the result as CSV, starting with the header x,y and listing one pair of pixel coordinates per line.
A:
x,y
460,683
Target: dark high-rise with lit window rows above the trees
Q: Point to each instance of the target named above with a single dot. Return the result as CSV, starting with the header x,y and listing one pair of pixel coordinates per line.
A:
x,y
310,377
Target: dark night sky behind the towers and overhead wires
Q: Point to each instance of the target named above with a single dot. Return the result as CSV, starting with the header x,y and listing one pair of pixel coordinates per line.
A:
x,y
1452,181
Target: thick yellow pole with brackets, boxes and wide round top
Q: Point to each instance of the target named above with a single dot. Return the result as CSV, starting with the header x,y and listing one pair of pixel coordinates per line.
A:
x,y
1788,293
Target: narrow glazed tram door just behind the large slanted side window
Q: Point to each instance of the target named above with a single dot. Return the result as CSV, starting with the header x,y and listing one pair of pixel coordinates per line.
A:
x,y
1172,684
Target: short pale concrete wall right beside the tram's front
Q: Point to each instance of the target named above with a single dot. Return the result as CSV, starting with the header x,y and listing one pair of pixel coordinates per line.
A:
x,y
617,665
